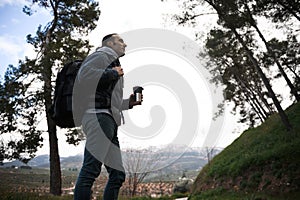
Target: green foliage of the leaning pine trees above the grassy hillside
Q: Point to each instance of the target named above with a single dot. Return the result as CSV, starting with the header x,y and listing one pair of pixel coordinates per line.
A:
x,y
236,55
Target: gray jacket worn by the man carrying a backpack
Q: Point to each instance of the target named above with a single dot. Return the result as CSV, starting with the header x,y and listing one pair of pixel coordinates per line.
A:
x,y
102,85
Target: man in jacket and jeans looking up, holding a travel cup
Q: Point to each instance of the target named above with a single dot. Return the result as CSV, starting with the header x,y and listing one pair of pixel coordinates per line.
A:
x,y
101,77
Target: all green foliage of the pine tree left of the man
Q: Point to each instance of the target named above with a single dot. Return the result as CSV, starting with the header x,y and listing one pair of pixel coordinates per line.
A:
x,y
26,92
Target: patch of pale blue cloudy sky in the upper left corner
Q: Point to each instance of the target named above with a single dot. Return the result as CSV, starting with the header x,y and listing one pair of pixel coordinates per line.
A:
x,y
14,26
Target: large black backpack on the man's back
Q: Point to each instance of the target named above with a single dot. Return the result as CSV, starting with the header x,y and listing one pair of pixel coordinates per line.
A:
x,y
62,106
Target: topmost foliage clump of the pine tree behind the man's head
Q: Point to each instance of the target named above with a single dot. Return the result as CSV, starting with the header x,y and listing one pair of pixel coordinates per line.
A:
x,y
62,38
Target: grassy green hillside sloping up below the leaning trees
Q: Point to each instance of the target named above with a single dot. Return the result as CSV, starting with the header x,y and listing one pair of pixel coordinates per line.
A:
x,y
263,160
